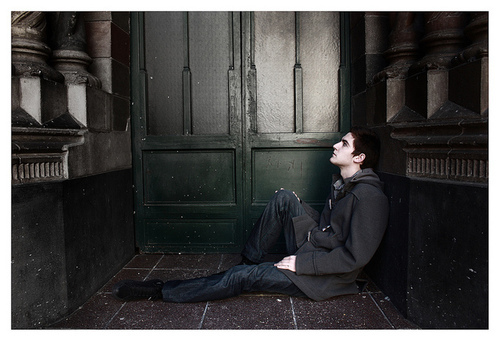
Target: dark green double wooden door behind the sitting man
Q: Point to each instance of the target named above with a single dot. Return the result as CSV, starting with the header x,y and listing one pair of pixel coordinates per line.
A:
x,y
227,108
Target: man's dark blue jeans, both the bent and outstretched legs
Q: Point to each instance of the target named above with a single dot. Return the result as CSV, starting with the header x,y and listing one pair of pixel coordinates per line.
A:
x,y
277,216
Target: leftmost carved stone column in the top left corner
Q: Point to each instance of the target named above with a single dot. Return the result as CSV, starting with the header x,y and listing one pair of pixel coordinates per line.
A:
x,y
29,49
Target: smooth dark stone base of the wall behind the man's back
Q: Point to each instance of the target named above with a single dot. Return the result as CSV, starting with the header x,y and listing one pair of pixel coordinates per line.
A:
x,y
433,260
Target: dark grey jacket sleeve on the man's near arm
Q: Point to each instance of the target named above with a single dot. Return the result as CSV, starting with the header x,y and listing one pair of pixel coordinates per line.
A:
x,y
367,226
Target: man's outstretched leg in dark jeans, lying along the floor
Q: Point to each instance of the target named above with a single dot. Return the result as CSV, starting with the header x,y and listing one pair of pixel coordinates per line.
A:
x,y
239,279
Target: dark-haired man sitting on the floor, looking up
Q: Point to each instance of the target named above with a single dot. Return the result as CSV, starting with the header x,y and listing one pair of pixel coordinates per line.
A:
x,y
326,252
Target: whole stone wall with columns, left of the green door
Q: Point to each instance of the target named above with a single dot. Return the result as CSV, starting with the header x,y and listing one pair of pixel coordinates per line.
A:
x,y
72,202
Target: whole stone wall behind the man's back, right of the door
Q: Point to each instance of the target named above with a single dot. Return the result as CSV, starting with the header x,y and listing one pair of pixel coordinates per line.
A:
x,y
421,81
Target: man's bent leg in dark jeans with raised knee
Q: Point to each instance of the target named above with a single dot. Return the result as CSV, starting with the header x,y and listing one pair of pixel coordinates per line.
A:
x,y
277,217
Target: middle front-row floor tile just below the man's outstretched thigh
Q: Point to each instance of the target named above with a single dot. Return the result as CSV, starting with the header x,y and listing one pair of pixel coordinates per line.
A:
x,y
250,312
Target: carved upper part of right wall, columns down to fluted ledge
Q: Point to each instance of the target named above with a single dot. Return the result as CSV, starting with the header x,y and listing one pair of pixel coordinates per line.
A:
x,y
438,109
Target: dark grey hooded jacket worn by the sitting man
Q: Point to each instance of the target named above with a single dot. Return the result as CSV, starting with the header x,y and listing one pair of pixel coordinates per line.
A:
x,y
336,245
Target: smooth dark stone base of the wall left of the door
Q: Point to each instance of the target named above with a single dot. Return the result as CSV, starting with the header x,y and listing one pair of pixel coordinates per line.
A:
x,y
68,239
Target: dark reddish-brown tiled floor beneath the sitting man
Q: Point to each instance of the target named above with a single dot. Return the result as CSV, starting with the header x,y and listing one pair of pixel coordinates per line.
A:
x,y
369,310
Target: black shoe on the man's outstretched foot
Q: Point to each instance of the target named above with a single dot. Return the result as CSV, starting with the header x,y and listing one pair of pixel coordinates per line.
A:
x,y
129,290
